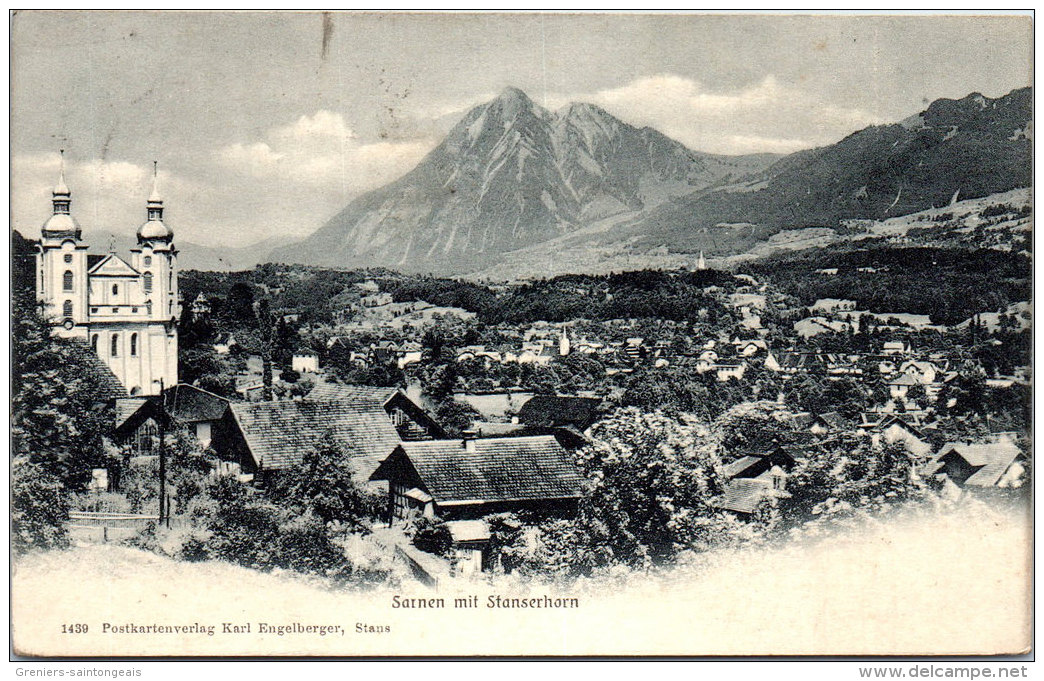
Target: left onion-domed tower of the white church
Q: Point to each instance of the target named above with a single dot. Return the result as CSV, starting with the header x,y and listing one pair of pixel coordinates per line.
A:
x,y
62,281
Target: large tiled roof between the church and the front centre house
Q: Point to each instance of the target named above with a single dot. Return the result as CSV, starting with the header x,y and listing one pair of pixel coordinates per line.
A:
x,y
279,434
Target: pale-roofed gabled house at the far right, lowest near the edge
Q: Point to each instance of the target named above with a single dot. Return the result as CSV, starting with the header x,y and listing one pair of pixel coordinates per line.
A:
x,y
999,464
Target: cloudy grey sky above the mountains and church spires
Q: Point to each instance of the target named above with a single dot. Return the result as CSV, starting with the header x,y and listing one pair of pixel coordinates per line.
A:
x,y
265,125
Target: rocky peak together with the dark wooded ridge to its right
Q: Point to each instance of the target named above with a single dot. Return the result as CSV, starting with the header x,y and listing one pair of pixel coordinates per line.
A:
x,y
518,192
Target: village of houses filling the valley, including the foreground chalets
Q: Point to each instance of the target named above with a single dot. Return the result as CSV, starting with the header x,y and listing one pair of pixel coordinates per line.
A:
x,y
450,424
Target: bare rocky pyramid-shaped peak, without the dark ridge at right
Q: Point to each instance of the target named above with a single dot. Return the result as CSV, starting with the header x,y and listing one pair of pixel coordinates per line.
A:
x,y
509,176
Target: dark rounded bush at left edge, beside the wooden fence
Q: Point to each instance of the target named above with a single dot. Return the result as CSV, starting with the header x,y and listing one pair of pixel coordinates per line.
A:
x,y
40,508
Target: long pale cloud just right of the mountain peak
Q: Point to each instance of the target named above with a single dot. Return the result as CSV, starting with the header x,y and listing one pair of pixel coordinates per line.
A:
x,y
766,116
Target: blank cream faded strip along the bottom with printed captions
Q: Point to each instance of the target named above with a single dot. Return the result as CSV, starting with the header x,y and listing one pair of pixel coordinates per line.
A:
x,y
955,581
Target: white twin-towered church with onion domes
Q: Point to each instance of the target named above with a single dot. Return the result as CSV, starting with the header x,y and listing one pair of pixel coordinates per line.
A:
x,y
128,312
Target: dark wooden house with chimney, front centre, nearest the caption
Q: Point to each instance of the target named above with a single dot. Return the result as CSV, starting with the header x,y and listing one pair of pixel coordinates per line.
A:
x,y
461,480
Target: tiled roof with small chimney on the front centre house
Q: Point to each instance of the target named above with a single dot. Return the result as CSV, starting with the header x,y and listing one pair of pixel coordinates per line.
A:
x,y
502,469
